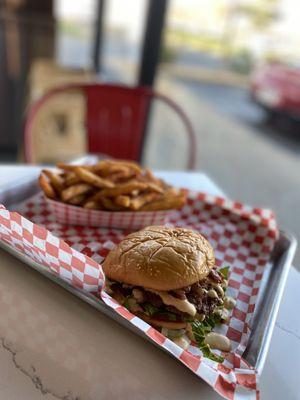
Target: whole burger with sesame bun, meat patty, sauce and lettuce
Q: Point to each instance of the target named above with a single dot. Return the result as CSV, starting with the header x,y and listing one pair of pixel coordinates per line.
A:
x,y
167,276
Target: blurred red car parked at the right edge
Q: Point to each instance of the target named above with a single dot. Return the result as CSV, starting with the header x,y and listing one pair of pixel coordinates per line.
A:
x,y
276,88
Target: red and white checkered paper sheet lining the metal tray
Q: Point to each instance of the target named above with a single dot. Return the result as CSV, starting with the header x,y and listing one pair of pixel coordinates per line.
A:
x,y
242,237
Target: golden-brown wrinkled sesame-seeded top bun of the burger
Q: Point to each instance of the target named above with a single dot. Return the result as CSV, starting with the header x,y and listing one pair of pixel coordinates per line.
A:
x,y
160,258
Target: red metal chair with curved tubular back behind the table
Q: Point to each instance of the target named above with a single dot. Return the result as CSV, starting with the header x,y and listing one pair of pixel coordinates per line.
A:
x,y
116,118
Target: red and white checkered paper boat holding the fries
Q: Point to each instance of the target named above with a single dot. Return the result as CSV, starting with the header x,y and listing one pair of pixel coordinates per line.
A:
x,y
72,215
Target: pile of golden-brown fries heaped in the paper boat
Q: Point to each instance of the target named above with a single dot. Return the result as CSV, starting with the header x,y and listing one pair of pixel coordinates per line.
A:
x,y
110,185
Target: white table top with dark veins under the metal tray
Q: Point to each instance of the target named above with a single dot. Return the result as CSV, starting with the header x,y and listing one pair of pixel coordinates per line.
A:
x,y
150,373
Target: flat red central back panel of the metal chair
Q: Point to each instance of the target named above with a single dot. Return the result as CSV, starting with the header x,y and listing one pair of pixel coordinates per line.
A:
x,y
116,118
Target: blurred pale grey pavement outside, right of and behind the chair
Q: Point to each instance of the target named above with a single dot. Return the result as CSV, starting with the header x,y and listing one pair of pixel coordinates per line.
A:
x,y
249,167
